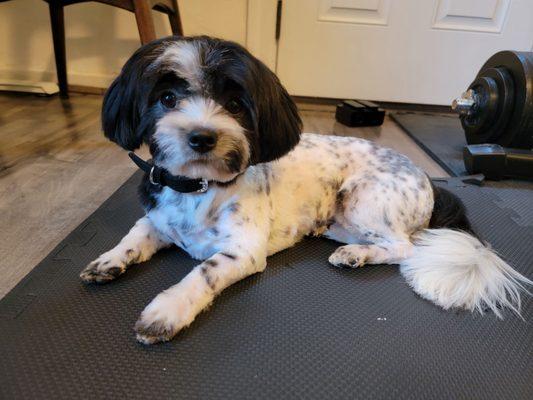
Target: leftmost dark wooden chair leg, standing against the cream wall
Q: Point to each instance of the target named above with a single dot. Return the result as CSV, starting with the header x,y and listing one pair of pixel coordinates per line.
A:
x,y
57,21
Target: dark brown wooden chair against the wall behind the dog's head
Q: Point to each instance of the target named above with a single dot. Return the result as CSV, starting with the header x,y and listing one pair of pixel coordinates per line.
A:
x,y
145,24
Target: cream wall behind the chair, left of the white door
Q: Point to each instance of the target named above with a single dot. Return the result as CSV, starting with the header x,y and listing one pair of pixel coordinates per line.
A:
x,y
100,38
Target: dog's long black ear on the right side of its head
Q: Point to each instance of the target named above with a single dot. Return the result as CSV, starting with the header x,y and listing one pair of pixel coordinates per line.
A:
x,y
276,121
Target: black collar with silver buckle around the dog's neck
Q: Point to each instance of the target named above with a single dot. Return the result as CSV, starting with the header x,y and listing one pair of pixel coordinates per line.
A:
x,y
160,176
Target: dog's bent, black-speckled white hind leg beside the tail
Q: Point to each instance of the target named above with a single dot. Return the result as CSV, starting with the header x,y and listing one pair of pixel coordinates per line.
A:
x,y
376,217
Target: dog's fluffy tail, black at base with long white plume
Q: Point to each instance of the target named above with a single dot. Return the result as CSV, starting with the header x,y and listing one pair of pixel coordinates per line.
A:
x,y
453,268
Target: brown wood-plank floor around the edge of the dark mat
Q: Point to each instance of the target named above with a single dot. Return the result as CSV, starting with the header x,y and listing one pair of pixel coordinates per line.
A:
x,y
56,168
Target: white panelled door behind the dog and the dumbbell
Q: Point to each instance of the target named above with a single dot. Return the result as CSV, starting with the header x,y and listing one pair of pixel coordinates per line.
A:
x,y
416,51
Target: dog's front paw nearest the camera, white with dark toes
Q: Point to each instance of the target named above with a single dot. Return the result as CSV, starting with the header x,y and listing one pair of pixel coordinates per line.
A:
x,y
165,316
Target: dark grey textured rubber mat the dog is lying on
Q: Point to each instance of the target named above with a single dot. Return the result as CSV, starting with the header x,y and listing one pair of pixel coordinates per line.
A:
x,y
301,329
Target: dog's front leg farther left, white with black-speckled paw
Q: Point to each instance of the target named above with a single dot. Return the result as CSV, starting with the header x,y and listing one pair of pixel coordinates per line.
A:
x,y
139,245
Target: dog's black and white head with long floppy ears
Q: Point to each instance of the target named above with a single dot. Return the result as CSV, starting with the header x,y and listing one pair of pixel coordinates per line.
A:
x,y
206,107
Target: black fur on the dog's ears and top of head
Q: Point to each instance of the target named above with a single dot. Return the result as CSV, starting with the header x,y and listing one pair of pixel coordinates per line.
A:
x,y
270,117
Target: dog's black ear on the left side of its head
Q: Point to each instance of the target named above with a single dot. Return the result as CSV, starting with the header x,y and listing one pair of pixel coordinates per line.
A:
x,y
126,100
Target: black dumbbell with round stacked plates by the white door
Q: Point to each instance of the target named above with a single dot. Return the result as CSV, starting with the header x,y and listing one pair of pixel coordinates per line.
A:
x,y
497,109
